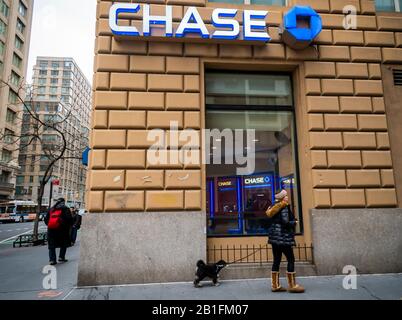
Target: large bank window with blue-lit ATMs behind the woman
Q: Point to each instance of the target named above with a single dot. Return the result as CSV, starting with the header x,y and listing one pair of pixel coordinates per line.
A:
x,y
237,103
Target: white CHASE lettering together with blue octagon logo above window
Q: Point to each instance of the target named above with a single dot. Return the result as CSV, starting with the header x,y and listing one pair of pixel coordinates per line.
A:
x,y
225,24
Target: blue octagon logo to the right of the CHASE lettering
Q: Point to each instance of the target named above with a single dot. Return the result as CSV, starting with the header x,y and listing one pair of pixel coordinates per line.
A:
x,y
302,24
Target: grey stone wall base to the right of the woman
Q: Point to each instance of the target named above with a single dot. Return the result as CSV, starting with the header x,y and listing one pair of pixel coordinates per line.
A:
x,y
369,239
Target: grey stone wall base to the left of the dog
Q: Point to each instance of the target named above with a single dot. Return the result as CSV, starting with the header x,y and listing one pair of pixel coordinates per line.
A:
x,y
141,247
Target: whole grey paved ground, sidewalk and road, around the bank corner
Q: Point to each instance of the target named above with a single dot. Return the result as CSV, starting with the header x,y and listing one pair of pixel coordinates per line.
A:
x,y
21,278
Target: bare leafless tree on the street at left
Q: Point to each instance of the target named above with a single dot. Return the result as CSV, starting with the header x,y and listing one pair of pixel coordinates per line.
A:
x,y
36,128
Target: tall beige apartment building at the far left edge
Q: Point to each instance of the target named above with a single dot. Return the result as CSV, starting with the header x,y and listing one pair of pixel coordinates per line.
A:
x,y
15,33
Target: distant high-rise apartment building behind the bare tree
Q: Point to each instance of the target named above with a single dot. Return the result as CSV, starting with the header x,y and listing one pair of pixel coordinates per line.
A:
x,y
61,91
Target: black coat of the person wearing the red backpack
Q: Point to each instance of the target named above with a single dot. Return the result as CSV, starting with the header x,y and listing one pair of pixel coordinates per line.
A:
x,y
61,237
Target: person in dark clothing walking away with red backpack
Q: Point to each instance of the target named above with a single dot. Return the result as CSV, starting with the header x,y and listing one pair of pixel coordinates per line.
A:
x,y
59,222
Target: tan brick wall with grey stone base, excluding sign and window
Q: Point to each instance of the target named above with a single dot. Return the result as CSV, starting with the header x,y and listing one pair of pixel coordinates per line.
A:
x,y
347,113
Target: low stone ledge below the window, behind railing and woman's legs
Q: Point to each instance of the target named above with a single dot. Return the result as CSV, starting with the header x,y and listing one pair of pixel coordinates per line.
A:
x,y
257,271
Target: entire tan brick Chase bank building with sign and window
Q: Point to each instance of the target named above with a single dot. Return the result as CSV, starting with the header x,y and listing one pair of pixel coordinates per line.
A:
x,y
319,84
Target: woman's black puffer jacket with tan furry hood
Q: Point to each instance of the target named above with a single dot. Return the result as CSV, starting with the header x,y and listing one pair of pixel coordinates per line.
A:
x,y
283,225
